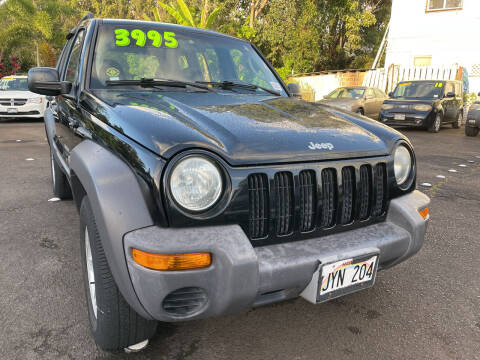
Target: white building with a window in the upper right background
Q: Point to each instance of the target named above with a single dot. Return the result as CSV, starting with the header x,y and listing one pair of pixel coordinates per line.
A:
x,y
435,33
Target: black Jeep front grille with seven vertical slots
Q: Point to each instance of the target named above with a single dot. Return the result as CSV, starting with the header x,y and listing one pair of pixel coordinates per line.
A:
x,y
322,199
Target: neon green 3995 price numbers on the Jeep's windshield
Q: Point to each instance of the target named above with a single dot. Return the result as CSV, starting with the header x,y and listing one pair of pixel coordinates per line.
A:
x,y
123,38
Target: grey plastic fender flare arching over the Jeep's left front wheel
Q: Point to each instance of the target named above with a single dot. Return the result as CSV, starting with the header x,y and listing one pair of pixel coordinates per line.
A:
x,y
118,205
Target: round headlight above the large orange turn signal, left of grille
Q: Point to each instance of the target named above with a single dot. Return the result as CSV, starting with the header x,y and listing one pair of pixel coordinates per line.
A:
x,y
195,183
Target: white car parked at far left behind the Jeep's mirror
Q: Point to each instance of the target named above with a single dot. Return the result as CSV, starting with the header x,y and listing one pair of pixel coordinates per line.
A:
x,y
17,102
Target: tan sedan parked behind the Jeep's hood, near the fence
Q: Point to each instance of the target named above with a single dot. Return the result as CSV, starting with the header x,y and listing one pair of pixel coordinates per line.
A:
x,y
362,100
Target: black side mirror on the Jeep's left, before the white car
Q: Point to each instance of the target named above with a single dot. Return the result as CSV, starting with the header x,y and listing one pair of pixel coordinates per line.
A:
x,y
45,81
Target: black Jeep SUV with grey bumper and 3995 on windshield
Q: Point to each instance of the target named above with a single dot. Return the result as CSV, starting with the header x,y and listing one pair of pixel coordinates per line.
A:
x,y
205,188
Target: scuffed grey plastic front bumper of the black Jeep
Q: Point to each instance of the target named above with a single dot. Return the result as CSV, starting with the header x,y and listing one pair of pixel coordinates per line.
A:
x,y
242,276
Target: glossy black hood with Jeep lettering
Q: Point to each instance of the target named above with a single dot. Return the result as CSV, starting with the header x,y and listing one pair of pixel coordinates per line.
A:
x,y
243,129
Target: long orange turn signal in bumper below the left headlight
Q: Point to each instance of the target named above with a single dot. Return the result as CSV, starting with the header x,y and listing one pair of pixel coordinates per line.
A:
x,y
171,262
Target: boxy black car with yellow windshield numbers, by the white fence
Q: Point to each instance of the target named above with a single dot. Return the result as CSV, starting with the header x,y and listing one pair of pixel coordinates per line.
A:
x,y
426,104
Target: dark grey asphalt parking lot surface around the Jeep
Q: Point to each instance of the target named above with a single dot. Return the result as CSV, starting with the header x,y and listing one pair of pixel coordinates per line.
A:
x,y
425,308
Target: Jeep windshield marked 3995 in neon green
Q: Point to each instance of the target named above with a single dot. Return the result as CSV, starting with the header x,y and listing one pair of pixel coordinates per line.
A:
x,y
151,51
